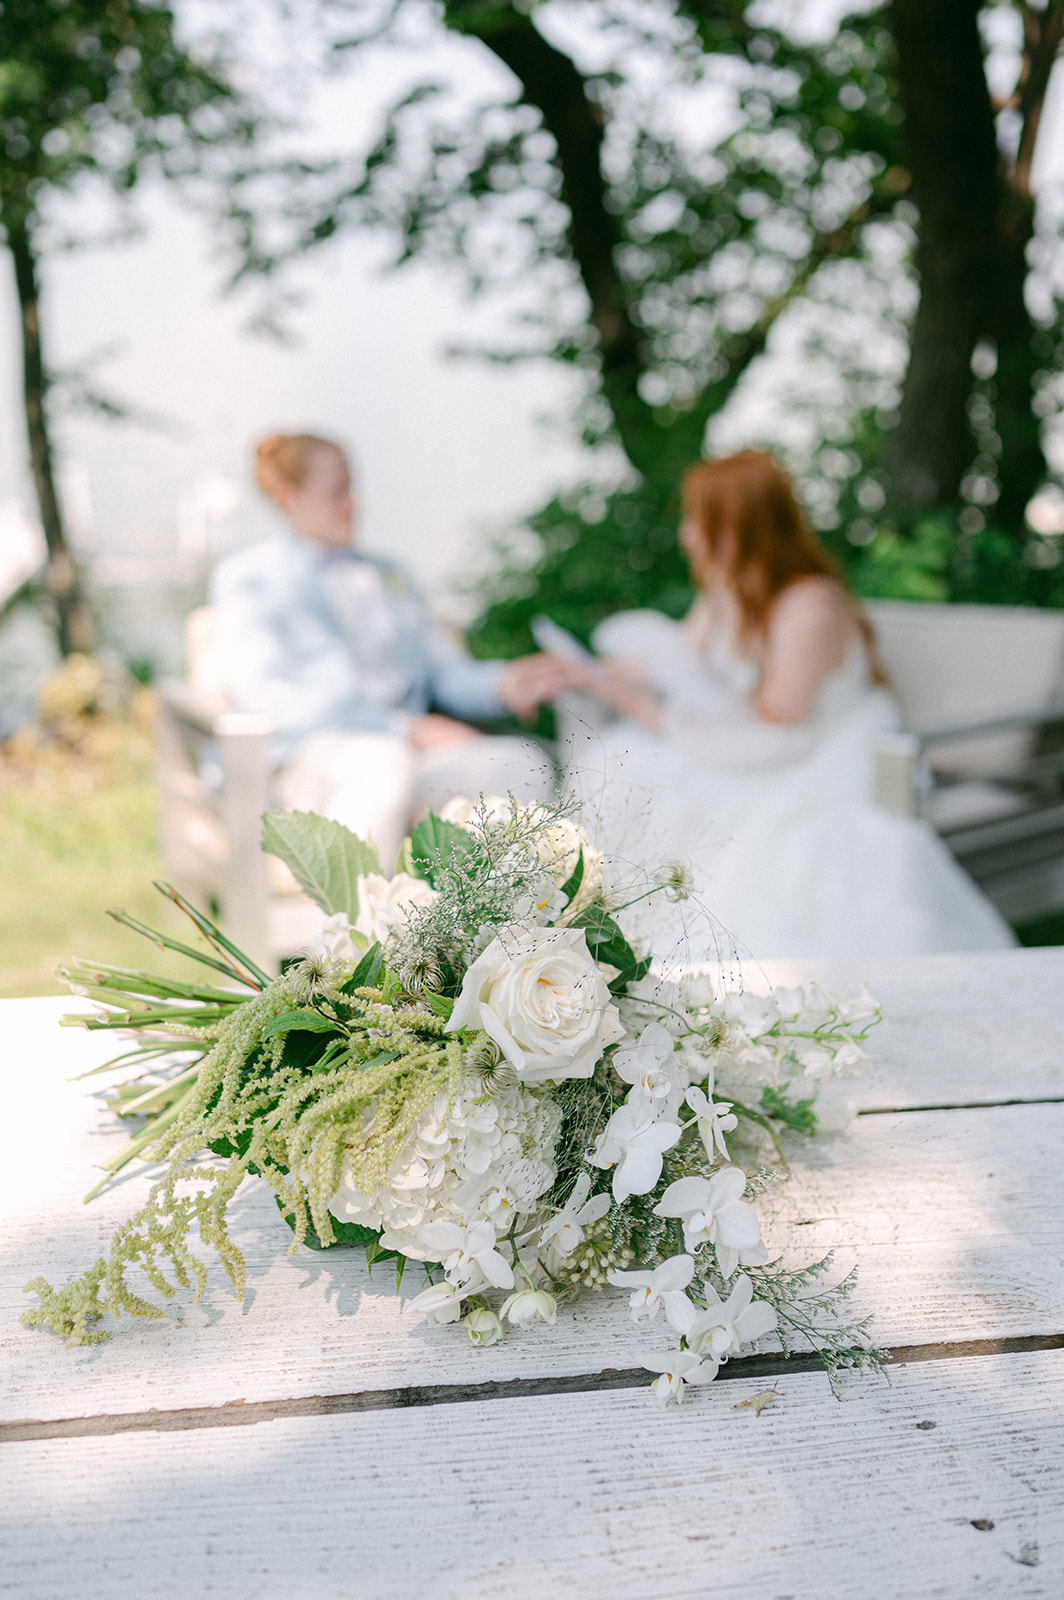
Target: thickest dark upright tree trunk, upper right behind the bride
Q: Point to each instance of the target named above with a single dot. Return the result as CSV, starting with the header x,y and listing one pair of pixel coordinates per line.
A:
x,y
953,158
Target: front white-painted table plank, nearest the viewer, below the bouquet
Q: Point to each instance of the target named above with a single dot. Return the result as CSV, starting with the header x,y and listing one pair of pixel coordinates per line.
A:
x,y
946,1486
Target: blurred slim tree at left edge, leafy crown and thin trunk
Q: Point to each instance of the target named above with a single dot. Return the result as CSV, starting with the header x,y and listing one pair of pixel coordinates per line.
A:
x,y
90,89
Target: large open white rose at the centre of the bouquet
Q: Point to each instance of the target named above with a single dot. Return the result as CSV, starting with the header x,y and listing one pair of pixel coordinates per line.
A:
x,y
540,996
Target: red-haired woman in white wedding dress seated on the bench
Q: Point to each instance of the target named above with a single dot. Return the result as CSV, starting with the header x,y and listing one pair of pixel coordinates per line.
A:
x,y
745,746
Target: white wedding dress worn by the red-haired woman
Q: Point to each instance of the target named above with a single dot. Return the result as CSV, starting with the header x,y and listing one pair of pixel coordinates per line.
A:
x,y
790,854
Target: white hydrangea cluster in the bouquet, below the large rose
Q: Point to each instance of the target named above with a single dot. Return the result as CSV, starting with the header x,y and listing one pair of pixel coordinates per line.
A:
x,y
481,1161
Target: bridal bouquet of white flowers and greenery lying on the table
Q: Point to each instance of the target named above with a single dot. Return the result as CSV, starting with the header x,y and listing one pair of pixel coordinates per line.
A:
x,y
476,1073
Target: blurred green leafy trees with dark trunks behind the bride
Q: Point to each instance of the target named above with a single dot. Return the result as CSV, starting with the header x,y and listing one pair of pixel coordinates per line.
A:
x,y
673,190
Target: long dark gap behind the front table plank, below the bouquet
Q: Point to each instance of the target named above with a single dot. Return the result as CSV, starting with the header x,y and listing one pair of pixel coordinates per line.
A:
x,y
241,1414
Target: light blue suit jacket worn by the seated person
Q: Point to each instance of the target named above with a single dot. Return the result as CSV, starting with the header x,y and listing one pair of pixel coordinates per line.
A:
x,y
279,647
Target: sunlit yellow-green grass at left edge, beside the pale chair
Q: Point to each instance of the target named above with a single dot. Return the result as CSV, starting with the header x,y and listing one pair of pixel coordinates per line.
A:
x,y
79,833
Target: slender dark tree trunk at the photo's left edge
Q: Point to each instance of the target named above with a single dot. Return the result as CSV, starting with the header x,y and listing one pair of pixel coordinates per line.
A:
x,y
73,620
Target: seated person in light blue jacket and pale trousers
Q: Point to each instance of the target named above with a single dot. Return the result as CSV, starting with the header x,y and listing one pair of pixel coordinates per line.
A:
x,y
369,695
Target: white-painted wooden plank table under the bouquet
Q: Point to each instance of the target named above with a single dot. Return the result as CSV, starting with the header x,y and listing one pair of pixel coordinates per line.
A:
x,y
314,1444
